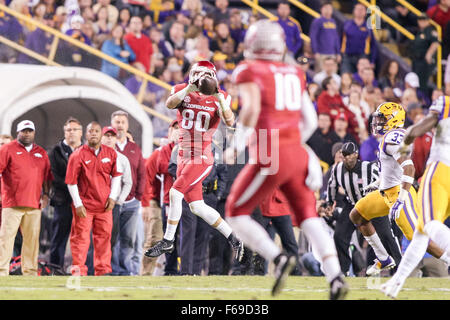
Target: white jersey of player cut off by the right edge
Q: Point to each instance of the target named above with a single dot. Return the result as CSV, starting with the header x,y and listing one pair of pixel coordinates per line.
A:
x,y
440,147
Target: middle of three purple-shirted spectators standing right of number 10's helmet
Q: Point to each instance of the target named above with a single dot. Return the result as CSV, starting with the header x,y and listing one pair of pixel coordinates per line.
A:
x,y
324,36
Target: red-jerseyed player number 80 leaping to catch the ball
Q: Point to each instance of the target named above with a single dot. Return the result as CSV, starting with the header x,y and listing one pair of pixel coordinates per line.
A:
x,y
199,116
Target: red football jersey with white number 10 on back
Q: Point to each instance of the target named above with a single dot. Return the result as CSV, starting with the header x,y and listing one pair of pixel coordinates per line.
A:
x,y
281,88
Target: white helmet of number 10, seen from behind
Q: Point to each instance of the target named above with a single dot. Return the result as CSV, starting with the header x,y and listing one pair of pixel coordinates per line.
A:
x,y
265,39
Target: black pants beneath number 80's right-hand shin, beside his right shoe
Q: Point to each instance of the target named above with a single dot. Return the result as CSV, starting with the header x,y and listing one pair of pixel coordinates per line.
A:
x,y
220,251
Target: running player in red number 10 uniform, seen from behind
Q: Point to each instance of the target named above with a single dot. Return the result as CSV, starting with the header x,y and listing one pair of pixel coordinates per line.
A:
x,y
275,102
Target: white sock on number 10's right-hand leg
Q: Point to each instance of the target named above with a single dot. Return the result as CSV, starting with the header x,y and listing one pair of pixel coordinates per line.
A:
x,y
323,244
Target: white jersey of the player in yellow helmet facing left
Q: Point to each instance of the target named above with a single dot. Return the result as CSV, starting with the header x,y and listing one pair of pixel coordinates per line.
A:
x,y
390,171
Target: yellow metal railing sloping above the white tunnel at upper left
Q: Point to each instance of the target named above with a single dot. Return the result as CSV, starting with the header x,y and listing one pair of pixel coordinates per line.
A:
x,y
58,36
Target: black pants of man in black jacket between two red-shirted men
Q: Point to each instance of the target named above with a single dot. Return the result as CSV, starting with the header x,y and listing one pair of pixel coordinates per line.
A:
x,y
61,224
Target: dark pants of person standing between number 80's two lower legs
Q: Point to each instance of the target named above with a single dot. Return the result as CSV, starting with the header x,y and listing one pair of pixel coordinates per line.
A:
x,y
194,235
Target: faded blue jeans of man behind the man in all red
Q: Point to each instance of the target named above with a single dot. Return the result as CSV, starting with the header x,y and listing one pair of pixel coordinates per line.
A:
x,y
128,225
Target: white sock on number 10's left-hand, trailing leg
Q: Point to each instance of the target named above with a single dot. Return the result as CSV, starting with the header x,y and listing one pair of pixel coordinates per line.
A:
x,y
254,236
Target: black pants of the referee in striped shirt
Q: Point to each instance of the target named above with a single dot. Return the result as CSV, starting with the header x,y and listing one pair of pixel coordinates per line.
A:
x,y
343,233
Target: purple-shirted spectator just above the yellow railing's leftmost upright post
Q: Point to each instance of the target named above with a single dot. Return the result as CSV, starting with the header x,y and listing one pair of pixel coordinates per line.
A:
x,y
38,41
